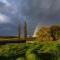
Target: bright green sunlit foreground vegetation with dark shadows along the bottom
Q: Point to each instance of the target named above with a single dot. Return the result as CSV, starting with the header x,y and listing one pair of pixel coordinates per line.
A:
x,y
31,51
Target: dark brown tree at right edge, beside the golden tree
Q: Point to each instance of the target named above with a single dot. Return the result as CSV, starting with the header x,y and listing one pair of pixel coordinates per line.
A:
x,y
55,32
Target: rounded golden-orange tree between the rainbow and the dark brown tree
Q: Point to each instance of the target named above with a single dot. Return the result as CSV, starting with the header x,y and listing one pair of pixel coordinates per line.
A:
x,y
44,34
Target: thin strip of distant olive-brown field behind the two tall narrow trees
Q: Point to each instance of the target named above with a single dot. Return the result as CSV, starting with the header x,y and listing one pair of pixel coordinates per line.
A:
x,y
16,38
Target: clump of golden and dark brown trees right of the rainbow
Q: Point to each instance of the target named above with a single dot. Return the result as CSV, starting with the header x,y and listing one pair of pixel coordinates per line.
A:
x,y
51,33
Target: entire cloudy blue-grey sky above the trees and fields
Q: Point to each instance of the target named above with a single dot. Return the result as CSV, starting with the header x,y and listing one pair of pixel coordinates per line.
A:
x,y
43,12
